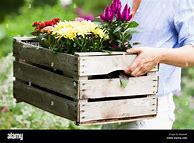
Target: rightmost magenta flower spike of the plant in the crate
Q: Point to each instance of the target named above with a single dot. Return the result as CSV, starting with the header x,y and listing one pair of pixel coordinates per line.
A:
x,y
125,15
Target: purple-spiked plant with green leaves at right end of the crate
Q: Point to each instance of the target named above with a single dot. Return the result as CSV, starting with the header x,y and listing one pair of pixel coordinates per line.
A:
x,y
118,25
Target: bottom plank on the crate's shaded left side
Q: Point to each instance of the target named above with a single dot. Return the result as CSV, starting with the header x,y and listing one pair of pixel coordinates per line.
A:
x,y
45,101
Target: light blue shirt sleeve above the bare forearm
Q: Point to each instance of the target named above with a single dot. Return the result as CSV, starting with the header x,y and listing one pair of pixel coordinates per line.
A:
x,y
184,22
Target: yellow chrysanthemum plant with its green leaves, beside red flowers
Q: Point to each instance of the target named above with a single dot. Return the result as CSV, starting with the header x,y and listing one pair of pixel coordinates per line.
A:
x,y
77,36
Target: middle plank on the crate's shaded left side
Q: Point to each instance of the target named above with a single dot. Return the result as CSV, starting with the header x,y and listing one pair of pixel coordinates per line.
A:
x,y
43,78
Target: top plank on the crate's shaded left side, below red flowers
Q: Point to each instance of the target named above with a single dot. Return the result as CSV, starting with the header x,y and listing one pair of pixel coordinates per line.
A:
x,y
42,56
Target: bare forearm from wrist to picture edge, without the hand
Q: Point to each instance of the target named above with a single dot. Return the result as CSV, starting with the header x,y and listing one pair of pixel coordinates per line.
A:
x,y
181,57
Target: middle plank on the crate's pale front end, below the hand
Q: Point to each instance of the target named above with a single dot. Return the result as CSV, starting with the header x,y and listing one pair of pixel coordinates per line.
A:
x,y
101,88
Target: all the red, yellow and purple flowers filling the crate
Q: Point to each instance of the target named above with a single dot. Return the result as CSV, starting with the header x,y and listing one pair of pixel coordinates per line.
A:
x,y
112,33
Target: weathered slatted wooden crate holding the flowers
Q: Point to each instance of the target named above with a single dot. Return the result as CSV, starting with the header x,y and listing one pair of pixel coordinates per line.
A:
x,y
78,87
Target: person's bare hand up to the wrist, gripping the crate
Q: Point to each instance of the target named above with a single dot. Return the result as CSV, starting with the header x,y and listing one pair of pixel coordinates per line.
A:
x,y
146,60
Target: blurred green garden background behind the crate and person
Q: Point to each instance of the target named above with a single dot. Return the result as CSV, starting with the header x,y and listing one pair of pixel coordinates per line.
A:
x,y
16,18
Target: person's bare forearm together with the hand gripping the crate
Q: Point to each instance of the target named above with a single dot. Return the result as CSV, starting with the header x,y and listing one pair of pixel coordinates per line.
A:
x,y
148,58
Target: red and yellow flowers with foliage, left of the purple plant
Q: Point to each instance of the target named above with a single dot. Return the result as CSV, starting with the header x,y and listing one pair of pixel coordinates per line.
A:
x,y
70,36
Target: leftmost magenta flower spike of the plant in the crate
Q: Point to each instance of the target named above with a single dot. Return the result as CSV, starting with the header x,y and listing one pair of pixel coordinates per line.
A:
x,y
108,15
